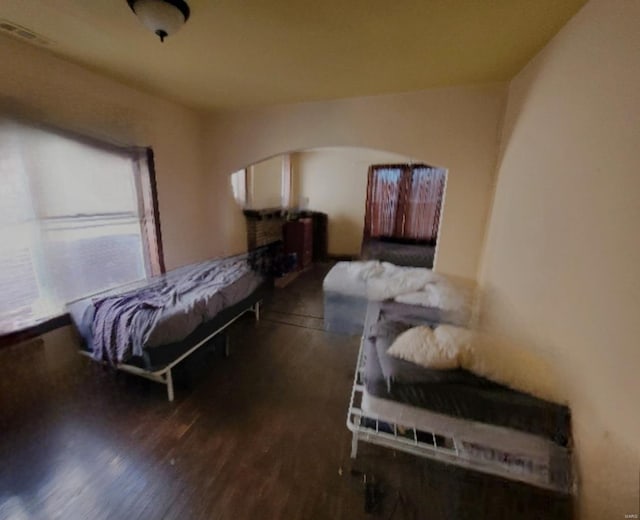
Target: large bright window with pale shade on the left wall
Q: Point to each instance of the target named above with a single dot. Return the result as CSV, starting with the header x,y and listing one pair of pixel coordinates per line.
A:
x,y
76,218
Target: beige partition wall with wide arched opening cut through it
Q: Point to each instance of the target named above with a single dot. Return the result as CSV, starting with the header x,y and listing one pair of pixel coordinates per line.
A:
x,y
456,128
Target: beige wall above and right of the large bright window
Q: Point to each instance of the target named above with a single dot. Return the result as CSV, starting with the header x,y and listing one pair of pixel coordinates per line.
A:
x,y
36,85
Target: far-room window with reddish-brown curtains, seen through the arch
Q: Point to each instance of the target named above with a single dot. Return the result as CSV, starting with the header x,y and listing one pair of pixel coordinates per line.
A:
x,y
404,201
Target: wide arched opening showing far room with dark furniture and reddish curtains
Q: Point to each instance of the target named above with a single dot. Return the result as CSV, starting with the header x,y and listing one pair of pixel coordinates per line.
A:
x,y
363,203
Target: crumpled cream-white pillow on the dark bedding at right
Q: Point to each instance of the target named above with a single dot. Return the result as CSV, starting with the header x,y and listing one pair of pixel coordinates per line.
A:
x,y
441,348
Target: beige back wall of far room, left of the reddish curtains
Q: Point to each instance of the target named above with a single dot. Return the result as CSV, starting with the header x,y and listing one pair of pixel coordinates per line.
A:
x,y
334,180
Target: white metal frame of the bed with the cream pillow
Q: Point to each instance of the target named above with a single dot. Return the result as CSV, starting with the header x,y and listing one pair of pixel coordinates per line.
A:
x,y
441,444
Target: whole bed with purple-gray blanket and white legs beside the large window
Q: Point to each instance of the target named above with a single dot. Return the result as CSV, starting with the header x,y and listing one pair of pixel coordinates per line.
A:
x,y
149,327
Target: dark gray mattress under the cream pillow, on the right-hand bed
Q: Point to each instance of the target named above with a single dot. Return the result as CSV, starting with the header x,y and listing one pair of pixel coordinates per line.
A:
x,y
459,393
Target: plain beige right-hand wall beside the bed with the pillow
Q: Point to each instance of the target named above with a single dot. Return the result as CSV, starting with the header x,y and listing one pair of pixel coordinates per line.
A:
x,y
561,265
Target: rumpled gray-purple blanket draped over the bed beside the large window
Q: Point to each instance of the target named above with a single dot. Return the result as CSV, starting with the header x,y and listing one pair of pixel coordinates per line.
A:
x,y
122,323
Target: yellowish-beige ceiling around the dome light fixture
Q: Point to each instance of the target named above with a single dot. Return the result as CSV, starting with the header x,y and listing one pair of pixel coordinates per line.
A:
x,y
240,53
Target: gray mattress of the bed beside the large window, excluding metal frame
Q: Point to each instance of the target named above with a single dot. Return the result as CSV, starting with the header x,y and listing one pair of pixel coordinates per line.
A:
x,y
184,307
